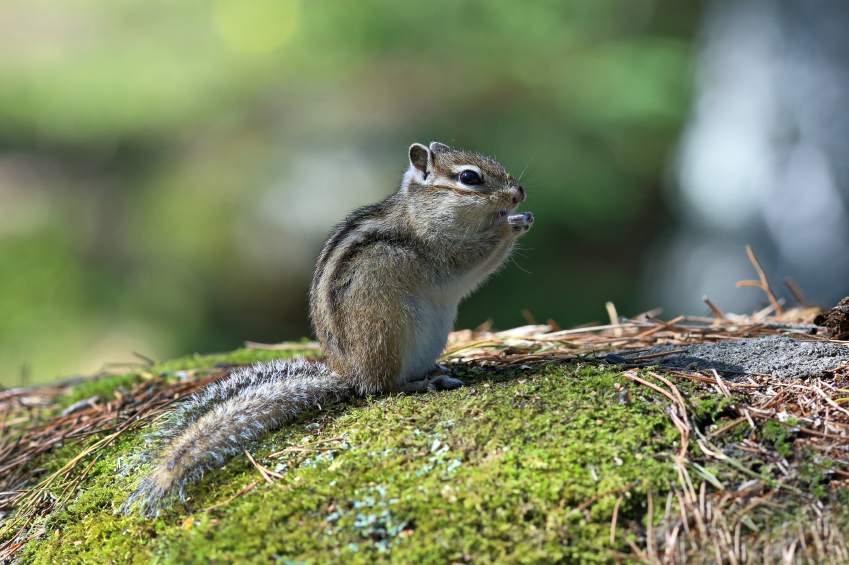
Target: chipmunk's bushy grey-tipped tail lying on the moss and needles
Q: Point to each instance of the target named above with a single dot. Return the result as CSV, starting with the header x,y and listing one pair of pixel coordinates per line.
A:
x,y
222,418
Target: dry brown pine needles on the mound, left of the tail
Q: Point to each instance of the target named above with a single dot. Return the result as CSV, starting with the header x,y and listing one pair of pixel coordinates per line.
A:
x,y
24,449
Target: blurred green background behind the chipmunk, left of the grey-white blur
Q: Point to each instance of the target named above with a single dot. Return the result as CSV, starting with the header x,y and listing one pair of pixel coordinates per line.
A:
x,y
169,170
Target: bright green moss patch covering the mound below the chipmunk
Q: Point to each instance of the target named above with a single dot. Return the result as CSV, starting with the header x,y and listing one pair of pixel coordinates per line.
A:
x,y
494,472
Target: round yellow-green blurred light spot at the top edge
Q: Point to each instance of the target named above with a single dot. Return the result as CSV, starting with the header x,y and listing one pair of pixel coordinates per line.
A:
x,y
256,26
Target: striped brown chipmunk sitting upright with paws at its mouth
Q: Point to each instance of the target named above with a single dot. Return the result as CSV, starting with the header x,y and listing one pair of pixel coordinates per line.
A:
x,y
383,297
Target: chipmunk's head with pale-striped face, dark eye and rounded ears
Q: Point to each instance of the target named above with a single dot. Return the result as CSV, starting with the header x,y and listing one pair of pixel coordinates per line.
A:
x,y
472,189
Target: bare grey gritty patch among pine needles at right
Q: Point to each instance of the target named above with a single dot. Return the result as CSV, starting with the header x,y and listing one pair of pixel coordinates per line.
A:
x,y
782,357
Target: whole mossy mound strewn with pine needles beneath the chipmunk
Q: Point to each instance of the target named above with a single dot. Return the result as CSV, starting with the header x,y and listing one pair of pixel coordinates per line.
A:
x,y
717,440
